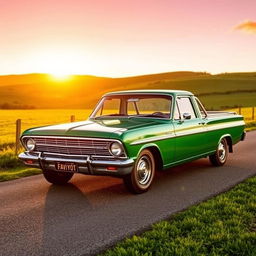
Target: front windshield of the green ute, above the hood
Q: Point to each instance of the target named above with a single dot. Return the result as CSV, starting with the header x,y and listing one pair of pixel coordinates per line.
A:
x,y
156,106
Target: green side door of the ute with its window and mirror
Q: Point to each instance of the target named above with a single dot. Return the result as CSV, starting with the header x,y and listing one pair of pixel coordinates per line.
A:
x,y
189,130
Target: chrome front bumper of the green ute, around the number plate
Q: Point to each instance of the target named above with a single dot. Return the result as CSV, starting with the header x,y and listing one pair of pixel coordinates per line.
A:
x,y
85,164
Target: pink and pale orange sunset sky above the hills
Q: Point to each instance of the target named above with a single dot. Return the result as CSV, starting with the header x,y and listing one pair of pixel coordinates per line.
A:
x,y
127,37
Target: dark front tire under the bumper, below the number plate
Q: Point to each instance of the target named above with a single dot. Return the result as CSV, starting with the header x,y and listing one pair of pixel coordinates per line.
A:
x,y
58,178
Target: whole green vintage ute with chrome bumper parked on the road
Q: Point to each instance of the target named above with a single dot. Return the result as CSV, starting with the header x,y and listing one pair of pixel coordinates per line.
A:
x,y
131,135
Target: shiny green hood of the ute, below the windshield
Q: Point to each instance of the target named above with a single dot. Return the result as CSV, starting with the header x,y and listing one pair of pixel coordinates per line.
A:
x,y
101,128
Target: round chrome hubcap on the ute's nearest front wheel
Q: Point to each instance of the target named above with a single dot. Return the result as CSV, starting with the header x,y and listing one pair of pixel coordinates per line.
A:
x,y
144,170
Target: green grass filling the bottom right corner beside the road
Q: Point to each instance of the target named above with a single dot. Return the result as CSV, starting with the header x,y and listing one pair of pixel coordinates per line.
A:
x,y
224,225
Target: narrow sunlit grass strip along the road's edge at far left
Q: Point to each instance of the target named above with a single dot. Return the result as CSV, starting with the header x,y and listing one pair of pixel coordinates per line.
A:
x,y
18,172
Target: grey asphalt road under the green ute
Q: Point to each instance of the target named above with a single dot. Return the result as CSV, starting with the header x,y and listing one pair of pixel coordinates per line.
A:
x,y
92,213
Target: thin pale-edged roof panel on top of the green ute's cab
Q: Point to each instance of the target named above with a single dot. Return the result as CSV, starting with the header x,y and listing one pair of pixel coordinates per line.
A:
x,y
161,92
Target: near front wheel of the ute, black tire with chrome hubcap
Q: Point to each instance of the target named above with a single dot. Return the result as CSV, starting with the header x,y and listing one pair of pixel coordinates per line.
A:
x,y
142,175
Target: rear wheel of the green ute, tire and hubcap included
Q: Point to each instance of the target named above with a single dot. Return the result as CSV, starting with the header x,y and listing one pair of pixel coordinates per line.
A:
x,y
219,158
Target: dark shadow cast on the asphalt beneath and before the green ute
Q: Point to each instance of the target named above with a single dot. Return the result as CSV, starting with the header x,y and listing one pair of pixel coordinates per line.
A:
x,y
86,195
